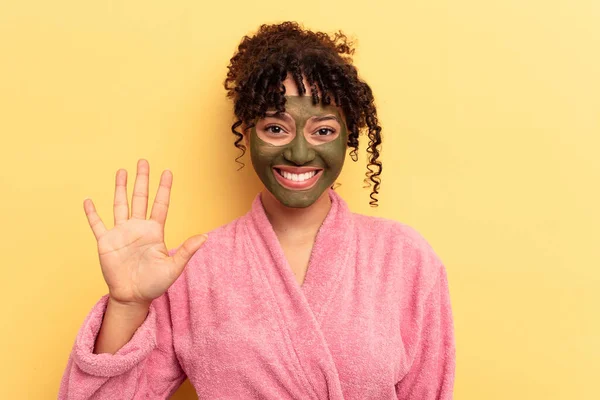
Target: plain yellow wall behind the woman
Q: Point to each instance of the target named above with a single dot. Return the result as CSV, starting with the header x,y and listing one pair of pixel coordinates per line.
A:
x,y
491,116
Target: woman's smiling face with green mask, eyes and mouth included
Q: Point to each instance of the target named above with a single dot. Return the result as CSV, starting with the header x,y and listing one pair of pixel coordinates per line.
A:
x,y
300,153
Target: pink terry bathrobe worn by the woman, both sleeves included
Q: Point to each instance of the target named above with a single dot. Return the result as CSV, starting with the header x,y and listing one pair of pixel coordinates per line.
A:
x,y
372,320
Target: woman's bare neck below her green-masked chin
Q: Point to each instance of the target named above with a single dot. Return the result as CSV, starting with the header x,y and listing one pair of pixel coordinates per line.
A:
x,y
300,223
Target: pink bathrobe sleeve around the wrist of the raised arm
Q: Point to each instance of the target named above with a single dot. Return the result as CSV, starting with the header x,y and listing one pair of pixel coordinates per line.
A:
x,y
145,367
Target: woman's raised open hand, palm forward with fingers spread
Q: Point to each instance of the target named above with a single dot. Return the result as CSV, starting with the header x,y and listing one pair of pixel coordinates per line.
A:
x,y
134,258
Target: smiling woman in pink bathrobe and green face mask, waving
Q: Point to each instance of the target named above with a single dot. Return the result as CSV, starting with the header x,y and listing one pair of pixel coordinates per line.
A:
x,y
299,298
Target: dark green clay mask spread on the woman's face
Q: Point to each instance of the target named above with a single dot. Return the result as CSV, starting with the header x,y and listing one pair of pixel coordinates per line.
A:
x,y
328,156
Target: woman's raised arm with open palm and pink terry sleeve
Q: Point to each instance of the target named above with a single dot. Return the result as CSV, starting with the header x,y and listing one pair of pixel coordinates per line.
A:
x,y
133,355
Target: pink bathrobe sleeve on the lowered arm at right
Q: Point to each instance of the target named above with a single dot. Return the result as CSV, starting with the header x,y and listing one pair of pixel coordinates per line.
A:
x,y
431,375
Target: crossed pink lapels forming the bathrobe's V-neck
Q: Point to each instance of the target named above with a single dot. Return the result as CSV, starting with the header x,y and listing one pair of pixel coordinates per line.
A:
x,y
303,308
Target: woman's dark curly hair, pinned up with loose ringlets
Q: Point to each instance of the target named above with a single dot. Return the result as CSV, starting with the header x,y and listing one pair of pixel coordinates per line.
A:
x,y
262,62
